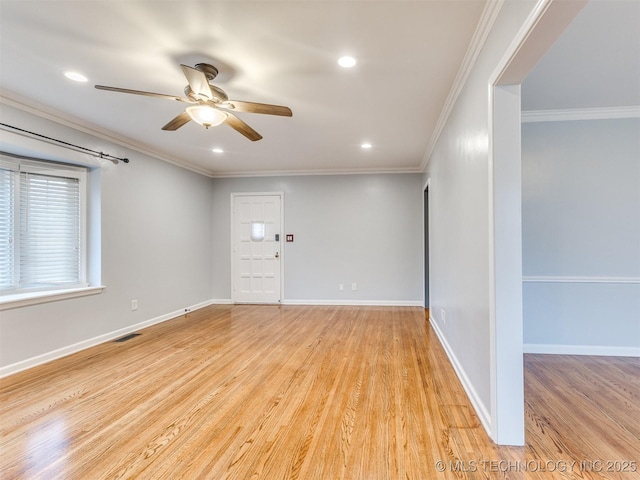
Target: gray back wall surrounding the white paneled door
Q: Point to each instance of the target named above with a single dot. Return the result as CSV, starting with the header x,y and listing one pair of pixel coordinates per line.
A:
x,y
365,229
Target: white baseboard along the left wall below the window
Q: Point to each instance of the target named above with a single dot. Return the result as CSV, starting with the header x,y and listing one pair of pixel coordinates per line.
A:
x,y
91,342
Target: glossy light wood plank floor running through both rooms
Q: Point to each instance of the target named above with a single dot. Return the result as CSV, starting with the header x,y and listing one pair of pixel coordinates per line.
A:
x,y
294,392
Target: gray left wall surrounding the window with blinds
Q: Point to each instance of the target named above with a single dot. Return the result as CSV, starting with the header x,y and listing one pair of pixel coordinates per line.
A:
x,y
155,239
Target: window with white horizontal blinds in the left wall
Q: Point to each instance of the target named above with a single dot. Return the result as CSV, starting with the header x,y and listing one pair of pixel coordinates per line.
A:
x,y
42,226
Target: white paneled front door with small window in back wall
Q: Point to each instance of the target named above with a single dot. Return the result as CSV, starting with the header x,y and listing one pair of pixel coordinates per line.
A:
x,y
256,253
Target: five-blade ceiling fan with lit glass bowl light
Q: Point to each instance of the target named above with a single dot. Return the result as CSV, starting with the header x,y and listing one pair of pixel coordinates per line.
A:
x,y
209,105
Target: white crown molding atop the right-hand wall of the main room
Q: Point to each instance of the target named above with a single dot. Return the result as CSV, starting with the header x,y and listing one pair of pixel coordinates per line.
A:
x,y
485,24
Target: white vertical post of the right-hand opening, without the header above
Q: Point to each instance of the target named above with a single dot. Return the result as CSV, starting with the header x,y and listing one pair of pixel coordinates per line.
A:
x,y
505,266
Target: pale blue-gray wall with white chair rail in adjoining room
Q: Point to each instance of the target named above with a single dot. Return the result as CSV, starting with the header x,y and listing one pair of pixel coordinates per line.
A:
x,y
581,235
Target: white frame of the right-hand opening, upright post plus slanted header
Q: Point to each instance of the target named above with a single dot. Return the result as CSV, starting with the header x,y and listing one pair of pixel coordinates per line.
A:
x,y
545,23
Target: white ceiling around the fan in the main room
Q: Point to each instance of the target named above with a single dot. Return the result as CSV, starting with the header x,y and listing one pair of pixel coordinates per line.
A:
x,y
409,53
